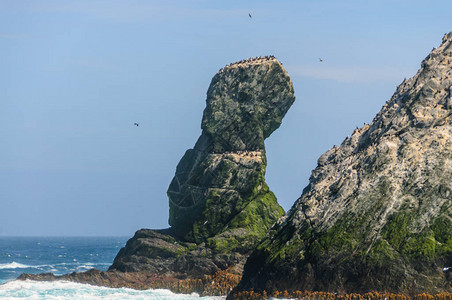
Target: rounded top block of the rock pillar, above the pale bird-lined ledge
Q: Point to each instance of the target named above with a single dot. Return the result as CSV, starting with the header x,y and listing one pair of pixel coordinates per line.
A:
x,y
246,102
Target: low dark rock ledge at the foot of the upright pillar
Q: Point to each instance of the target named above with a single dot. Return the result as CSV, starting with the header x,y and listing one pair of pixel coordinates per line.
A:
x,y
160,252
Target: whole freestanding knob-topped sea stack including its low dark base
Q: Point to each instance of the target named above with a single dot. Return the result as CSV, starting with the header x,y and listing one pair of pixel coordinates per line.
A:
x,y
220,205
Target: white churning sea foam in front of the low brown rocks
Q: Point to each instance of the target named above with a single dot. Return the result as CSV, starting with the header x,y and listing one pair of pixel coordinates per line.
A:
x,y
69,290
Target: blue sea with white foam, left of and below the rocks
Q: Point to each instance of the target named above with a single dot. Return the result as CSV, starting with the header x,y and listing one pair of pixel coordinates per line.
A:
x,y
61,255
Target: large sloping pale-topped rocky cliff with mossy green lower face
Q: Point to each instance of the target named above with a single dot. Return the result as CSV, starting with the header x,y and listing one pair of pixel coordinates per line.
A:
x,y
377,213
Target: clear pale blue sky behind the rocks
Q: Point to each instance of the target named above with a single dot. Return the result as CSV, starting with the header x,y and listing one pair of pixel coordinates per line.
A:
x,y
76,75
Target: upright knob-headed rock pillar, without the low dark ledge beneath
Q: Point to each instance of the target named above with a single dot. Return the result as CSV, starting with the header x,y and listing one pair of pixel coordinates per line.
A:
x,y
217,180
